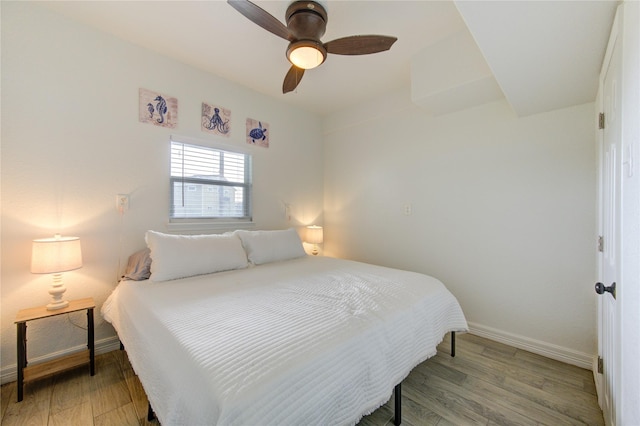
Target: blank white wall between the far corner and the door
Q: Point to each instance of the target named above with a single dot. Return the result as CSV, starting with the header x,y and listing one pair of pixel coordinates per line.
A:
x,y
502,211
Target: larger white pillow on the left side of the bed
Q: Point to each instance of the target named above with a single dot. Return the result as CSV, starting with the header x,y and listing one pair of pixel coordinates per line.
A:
x,y
179,256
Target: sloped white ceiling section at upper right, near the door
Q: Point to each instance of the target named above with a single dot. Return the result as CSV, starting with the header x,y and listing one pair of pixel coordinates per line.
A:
x,y
544,54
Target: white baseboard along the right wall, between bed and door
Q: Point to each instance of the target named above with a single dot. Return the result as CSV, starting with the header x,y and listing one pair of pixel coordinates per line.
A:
x,y
559,353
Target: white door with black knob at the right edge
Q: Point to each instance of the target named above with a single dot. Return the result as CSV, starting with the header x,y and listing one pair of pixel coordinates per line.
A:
x,y
609,338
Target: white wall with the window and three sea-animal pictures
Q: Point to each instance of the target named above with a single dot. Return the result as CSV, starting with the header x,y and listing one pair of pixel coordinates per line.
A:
x,y
71,141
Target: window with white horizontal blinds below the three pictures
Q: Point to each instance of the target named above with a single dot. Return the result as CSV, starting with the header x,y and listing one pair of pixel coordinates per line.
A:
x,y
209,183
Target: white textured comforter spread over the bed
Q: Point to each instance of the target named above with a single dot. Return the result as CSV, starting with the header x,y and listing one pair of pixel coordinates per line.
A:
x,y
310,341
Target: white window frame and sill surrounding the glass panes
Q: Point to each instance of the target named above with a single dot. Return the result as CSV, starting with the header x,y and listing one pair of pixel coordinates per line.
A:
x,y
204,222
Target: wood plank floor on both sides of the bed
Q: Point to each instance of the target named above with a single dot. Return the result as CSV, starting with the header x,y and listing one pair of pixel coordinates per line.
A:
x,y
487,383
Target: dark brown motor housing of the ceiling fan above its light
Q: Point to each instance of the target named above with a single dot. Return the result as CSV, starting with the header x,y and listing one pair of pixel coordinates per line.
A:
x,y
307,20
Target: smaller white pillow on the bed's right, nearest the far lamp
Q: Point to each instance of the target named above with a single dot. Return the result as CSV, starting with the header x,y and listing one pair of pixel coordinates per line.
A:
x,y
271,246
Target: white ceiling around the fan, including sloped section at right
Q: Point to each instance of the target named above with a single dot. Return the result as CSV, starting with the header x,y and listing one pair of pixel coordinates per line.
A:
x,y
543,55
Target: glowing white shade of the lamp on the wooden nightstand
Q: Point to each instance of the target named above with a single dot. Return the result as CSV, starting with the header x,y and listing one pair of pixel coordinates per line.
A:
x,y
57,254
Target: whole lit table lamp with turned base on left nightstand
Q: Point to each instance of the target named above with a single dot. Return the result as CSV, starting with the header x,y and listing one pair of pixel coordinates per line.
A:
x,y
55,256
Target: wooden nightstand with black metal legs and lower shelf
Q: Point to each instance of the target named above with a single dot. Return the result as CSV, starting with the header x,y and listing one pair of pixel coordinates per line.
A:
x,y
26,374
